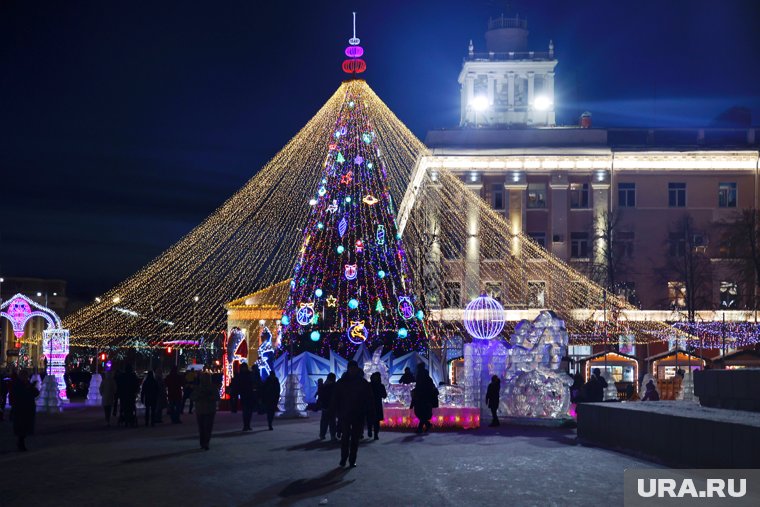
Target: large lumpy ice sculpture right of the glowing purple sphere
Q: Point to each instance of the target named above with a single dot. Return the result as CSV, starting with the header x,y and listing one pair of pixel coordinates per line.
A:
x,y
534,385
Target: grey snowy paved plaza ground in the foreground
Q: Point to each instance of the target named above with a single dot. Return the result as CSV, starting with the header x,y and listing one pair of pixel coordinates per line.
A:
x,y
75,460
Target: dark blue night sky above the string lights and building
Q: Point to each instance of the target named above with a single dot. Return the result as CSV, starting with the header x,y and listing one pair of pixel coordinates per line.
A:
x,y
124,124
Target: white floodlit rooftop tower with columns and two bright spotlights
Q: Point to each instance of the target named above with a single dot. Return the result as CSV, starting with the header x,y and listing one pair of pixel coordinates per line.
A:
x,y
508,85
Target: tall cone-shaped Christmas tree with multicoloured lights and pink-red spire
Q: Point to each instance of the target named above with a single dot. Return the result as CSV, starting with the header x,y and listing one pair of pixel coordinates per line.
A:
x,y
352,284
